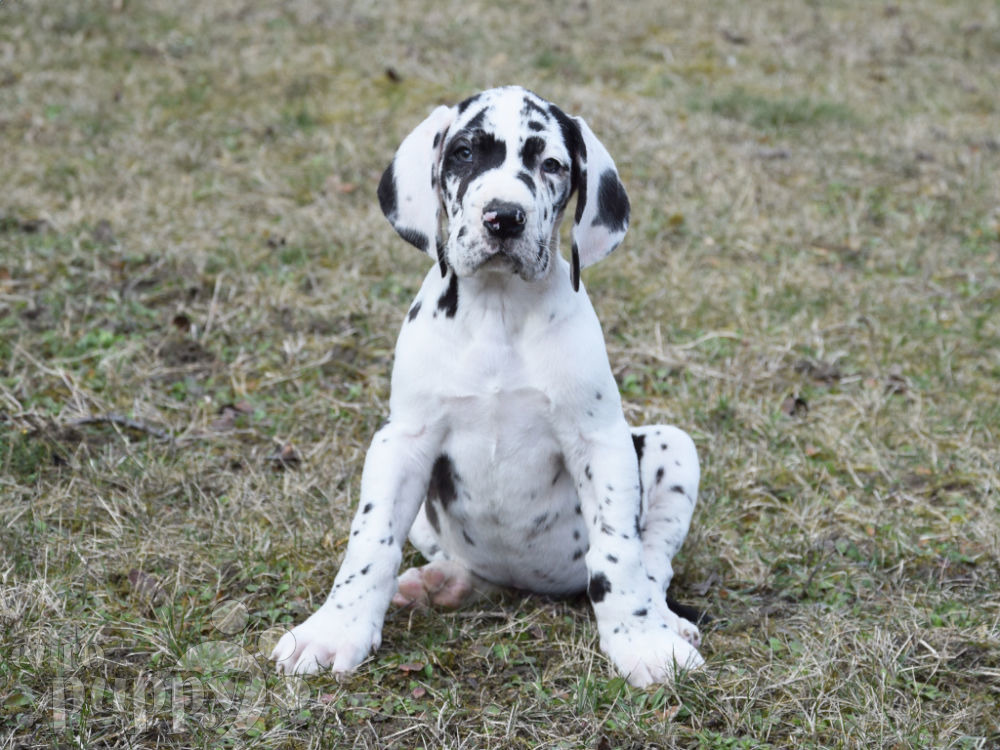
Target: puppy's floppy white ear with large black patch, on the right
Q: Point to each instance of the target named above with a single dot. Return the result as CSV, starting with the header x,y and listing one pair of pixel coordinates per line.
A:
x,y
602,208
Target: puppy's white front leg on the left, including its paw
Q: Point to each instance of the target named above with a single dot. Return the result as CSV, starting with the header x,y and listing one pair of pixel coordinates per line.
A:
x,y
348,626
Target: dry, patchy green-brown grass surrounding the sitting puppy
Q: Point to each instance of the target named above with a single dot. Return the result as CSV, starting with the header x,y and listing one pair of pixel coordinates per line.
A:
x,y
199,299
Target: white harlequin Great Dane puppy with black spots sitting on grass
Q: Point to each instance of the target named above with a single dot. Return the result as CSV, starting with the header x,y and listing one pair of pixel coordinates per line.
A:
x,y
507,458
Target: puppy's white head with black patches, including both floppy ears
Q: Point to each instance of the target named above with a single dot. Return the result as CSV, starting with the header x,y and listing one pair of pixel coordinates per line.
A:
x,y
504,165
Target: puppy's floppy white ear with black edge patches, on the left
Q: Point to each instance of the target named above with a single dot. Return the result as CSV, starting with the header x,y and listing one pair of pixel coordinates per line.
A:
x,y
408,190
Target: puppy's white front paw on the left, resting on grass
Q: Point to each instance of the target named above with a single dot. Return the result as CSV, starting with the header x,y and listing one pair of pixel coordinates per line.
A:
x,y
327,639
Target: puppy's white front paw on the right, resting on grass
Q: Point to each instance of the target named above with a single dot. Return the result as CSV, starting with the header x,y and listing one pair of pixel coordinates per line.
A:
x,y
649,654
